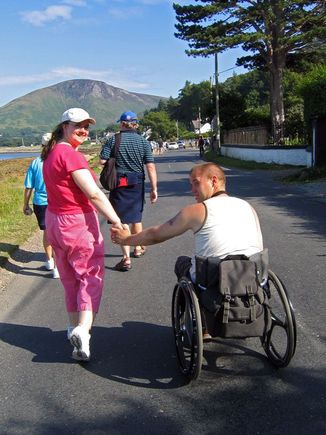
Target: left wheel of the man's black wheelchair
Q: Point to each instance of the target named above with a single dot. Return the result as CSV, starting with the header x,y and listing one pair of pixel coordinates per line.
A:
x,y
187,328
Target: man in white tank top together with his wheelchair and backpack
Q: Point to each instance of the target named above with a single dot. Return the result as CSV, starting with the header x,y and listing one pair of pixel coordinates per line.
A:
x,y
228,269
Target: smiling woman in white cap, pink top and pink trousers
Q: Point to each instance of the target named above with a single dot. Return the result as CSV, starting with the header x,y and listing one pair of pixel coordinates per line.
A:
x,y
72,225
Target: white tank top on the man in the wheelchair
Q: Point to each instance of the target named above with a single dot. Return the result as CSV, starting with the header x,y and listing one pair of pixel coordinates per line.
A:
x,y
231,227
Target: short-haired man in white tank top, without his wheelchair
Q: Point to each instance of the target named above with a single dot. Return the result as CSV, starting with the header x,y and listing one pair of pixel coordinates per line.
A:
x,y
222,225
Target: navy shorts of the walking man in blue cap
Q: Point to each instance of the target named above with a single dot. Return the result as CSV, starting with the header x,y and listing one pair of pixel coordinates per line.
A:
x,y
128,202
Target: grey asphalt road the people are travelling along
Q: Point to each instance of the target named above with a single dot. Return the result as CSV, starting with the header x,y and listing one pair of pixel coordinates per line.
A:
x,y
132,385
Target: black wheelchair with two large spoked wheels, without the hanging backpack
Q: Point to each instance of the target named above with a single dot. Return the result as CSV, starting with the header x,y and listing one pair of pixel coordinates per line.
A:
x,y
278,338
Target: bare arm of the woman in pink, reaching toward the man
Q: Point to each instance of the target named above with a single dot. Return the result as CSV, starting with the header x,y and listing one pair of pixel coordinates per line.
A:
x,y
84,180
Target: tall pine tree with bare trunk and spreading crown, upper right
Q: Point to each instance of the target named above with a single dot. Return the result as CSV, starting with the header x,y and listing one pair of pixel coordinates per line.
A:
x,y
272,30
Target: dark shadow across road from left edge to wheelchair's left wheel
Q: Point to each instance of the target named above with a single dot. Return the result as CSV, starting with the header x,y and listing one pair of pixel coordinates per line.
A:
x,y
137,354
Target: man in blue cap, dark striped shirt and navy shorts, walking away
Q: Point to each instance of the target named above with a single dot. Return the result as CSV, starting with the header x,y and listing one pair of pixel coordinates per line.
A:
x,y
128,199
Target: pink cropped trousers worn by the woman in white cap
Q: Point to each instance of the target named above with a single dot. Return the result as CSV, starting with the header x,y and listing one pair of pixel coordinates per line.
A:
x,y
79,250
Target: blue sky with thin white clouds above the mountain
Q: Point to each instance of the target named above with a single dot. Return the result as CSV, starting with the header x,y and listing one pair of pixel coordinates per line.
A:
x,y
129,45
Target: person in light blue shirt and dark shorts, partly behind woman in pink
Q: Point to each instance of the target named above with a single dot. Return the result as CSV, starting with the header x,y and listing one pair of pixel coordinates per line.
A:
x,y
34,183
